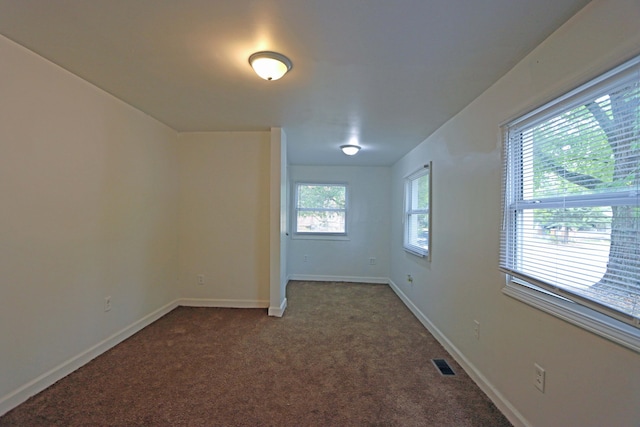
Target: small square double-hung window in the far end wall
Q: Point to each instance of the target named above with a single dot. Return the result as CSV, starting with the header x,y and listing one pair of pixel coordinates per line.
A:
x,y
321,209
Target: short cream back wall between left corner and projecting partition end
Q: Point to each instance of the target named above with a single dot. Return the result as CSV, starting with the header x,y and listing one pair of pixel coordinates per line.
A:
x,y
224,208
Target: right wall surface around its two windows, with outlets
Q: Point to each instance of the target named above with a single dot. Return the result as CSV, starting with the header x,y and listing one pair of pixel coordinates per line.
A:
x,y
590,381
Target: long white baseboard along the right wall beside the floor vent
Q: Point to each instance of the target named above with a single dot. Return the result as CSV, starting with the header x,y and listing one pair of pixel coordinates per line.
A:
x,y
509,411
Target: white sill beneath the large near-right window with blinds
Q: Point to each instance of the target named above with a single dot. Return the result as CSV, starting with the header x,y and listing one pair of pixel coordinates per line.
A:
x,y
597,323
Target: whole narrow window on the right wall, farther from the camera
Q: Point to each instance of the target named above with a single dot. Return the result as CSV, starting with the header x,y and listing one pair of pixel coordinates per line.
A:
x,y
417,218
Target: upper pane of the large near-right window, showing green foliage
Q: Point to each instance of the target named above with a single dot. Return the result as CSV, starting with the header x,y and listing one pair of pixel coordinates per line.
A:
x,y
572,154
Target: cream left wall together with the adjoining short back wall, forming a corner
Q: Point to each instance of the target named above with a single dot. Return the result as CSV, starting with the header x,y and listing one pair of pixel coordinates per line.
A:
x,y
97,200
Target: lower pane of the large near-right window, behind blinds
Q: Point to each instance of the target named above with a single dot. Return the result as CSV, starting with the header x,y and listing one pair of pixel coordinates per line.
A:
x,y
571,249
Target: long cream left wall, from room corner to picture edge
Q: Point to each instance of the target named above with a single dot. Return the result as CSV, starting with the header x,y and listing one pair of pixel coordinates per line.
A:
x,y
88,210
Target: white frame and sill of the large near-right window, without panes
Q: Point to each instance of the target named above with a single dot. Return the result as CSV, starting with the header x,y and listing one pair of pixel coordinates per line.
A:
x,y
571,307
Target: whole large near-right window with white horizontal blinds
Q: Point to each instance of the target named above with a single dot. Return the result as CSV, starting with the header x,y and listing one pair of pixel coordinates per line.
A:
x,y
571,221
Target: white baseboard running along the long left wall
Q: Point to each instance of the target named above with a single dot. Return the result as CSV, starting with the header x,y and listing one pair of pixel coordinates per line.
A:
x,y
47,379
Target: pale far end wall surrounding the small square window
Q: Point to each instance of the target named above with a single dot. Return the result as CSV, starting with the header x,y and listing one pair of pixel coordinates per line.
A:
x,y
368,226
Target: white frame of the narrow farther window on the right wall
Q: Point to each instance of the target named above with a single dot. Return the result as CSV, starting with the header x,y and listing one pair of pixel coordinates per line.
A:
x,y
408,210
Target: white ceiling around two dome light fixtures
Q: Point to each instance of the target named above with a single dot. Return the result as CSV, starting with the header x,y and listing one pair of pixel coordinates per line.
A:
x,y
386,72
